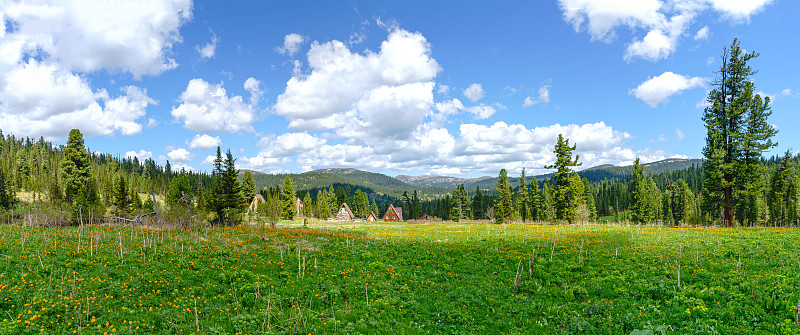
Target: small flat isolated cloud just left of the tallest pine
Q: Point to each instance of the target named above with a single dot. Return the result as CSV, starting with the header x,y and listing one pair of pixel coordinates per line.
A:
x,y
656,90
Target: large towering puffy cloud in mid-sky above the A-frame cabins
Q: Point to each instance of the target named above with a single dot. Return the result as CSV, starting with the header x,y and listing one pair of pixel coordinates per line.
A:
x,y
362,91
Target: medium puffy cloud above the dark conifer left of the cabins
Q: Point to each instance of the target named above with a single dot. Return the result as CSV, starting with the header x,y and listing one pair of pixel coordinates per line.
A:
x,y
207,108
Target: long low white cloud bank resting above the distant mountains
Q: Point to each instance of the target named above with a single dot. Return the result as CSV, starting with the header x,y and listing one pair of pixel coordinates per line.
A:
x,y
477,149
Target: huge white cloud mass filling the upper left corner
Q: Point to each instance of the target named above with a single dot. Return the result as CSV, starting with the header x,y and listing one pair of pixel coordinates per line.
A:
x,y
42,89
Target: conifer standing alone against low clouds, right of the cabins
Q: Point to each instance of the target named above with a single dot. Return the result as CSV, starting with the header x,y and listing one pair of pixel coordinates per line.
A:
x,y
567,195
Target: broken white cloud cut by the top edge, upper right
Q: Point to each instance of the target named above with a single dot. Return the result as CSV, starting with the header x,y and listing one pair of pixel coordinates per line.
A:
x,y
665,22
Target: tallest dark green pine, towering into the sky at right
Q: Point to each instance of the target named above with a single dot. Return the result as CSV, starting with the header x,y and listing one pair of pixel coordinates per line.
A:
x,y
737,135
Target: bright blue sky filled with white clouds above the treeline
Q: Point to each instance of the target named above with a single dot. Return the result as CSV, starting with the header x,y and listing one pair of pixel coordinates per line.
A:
x,y
412,87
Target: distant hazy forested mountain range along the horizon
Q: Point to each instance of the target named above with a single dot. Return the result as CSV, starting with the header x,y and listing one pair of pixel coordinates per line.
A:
x,y
383,186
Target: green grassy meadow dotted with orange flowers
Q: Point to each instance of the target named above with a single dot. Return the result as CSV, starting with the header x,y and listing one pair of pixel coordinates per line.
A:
x,y
399,278
